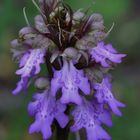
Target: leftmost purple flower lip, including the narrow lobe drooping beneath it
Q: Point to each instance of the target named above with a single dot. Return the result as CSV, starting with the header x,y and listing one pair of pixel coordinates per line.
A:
x,y
29,65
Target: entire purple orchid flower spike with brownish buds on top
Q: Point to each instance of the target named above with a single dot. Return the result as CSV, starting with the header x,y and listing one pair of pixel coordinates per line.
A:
x,y
71,46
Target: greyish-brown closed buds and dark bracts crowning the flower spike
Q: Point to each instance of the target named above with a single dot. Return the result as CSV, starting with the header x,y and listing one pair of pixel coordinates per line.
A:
x,y
57,22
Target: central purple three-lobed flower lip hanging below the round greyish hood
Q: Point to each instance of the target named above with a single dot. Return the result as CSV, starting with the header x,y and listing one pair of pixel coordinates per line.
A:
x,y
70,80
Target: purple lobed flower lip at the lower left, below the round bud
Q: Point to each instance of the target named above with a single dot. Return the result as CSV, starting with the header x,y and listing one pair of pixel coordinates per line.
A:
x,y
45,109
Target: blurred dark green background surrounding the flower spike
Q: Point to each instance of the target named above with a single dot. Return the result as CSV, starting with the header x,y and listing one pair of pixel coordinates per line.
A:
x,y
125,36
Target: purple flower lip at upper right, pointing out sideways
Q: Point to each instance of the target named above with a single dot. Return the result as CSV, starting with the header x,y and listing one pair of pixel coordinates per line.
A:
x,y
103,52
